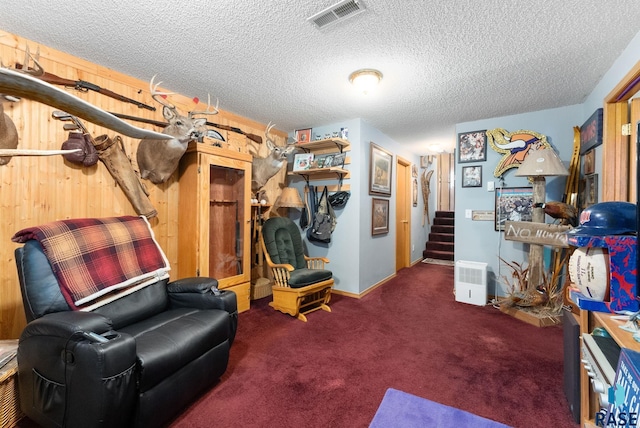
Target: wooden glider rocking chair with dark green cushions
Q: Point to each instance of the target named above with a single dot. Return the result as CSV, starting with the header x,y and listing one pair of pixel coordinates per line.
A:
x,y
301,284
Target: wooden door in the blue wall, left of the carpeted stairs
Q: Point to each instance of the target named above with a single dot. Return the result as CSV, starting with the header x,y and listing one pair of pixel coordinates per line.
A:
x,y
403,214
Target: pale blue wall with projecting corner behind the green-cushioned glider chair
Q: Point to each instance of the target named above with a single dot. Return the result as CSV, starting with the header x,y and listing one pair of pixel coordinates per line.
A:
x,y
358,259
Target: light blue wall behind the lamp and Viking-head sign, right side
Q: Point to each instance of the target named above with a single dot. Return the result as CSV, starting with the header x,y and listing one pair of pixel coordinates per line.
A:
x,y
477,241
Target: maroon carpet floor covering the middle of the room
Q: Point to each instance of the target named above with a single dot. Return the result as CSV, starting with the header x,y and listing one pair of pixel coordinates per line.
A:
x,y
408,334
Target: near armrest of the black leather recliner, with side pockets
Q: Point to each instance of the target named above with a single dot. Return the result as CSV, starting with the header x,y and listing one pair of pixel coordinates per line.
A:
x,y
66,379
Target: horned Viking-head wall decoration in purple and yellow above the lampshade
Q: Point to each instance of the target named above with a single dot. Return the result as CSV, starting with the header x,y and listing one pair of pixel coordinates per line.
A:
x,y
515,146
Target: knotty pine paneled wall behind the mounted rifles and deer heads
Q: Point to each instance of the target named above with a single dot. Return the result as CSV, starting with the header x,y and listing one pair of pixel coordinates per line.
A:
x,y
37,189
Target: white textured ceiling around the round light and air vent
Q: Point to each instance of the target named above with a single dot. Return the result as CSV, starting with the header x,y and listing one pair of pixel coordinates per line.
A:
x,y
443,62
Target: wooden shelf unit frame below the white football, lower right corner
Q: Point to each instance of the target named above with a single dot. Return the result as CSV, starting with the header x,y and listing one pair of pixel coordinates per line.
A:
x,y
588,321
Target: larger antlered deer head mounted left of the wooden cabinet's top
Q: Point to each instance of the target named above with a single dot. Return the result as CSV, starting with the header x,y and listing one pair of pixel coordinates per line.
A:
x,y
158,159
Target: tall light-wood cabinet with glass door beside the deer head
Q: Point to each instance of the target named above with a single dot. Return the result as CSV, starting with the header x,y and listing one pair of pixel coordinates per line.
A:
x,y
214,219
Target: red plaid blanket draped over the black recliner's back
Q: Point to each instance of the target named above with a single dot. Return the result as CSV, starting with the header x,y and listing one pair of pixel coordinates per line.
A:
x,y
99,258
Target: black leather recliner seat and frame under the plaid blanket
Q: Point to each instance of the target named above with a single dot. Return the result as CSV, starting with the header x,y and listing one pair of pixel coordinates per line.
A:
x,y
165,344
